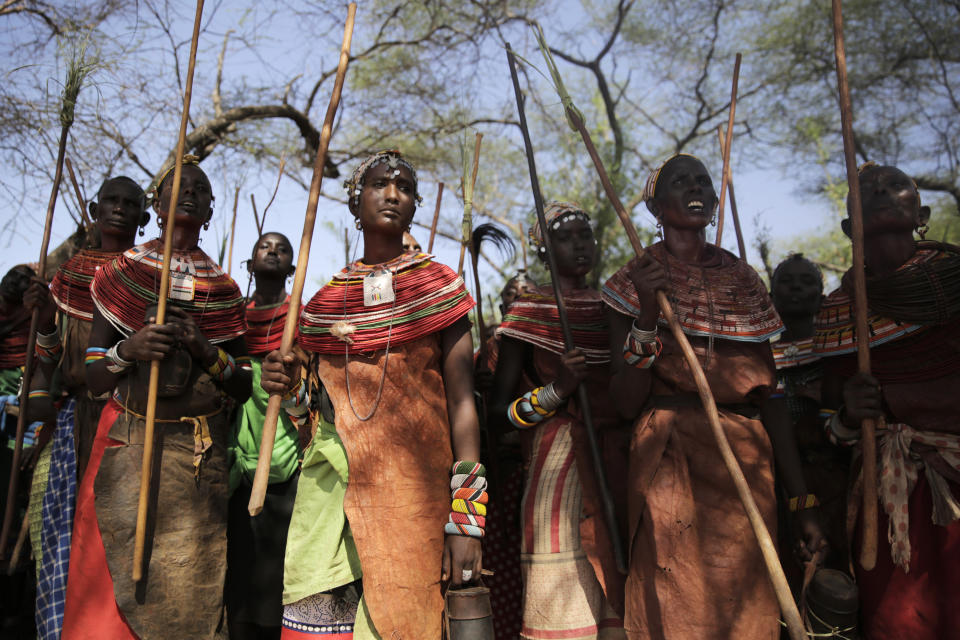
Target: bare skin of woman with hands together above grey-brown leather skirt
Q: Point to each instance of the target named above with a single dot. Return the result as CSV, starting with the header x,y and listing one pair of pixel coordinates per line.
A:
x,y
156,341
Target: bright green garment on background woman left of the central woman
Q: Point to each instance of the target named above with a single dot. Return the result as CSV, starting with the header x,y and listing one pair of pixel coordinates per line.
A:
x,y
244,445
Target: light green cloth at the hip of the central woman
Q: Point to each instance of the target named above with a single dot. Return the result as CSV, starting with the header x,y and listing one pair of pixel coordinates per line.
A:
x,y
321,554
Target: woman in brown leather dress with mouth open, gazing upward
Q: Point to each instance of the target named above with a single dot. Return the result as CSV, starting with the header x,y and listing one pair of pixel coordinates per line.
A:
x,y
695,569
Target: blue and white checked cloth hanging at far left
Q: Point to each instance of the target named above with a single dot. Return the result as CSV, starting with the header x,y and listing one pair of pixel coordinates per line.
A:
x,y
57,519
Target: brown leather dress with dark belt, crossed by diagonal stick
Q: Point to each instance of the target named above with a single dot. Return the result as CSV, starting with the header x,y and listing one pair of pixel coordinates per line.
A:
x,y
696,570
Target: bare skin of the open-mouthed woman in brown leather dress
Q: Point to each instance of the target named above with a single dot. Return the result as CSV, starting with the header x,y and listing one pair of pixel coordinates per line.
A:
x,y
684,203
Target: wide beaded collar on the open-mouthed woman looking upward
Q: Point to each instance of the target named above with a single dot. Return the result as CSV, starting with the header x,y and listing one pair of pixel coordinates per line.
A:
x,y
724,297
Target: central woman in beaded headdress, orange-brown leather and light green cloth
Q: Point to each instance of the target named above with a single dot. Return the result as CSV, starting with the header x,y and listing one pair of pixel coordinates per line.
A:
x,y
390,340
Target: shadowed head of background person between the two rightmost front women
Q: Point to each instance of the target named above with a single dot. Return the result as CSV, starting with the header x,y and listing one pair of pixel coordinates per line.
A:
x,y
797,291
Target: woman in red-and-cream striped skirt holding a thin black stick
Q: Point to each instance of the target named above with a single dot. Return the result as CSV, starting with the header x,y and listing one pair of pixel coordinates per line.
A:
x,y
565,547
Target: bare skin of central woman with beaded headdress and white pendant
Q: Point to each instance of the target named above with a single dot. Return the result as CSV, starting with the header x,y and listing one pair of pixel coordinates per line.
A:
x,y
386,208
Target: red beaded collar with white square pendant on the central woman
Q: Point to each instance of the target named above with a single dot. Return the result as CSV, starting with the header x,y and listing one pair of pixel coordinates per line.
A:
x,y
429,298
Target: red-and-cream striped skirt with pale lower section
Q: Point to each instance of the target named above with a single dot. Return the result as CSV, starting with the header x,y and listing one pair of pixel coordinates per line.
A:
x,y
562,597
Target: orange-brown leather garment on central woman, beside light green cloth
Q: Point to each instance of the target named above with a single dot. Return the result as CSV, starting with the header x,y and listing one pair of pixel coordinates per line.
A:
x,y
398,494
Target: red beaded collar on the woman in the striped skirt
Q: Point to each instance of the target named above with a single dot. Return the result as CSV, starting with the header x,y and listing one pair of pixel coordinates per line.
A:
x,y
533,318
